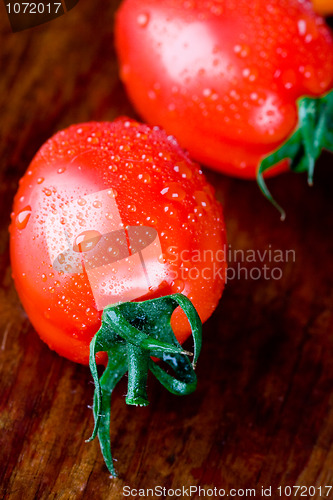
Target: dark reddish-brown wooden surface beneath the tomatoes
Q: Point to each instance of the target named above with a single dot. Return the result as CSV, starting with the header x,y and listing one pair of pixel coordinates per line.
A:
x,y
263,411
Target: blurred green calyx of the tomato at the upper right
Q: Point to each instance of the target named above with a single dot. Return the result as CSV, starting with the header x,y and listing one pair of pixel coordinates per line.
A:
x,y
313,134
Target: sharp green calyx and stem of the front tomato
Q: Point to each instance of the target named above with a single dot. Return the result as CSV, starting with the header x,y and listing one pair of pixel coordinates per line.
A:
x,y
131,333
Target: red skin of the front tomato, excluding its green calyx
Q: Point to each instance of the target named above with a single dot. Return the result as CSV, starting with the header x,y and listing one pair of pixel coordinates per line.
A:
x,y
155,185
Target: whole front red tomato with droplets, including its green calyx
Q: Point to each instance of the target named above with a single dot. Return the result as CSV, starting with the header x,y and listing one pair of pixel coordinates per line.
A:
x,y
114,221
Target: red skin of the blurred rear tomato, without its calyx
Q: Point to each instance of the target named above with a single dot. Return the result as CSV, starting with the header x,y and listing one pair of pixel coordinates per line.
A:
x,y
223,76
